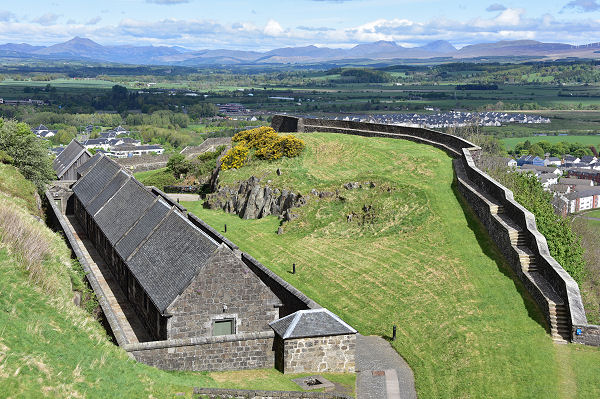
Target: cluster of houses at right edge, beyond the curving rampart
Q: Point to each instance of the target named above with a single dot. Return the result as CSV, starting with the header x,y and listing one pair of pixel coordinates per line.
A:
x,y
575,182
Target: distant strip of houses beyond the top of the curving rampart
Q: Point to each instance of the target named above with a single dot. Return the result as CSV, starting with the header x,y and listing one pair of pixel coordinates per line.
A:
x,y
450,119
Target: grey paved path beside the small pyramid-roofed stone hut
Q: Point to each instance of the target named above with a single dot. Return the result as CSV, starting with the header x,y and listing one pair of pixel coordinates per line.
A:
x,y
382,373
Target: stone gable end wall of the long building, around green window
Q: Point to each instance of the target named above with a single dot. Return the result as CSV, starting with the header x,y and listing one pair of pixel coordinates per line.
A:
x,y
224,289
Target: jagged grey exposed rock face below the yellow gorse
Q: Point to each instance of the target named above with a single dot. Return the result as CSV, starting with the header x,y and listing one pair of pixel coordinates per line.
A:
x,y
250,200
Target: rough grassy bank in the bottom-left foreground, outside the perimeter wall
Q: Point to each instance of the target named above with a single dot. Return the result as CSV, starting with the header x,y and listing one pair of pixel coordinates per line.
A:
x,y
50,346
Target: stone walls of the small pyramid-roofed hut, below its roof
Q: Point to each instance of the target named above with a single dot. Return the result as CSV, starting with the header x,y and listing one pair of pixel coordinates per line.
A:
x,y
332,354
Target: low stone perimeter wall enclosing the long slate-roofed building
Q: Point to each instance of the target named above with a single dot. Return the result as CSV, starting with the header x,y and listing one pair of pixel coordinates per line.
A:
x,y
230,352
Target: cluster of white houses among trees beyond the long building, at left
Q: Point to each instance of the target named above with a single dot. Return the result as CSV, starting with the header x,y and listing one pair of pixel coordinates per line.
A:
x,y
114,144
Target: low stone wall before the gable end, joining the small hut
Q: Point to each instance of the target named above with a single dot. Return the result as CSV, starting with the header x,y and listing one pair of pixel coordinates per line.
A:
x,y
227,352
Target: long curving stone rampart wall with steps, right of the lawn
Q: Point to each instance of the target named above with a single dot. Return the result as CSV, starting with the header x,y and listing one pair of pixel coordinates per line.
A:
x,y
511,226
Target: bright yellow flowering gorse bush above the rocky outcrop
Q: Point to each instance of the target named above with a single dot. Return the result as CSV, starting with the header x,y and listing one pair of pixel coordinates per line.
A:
x,y
267,143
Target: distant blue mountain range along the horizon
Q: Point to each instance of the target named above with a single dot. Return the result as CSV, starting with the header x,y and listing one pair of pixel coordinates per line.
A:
x,y
85,49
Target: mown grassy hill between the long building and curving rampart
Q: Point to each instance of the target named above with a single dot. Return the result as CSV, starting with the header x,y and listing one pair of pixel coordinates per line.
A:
x,y
465,325
